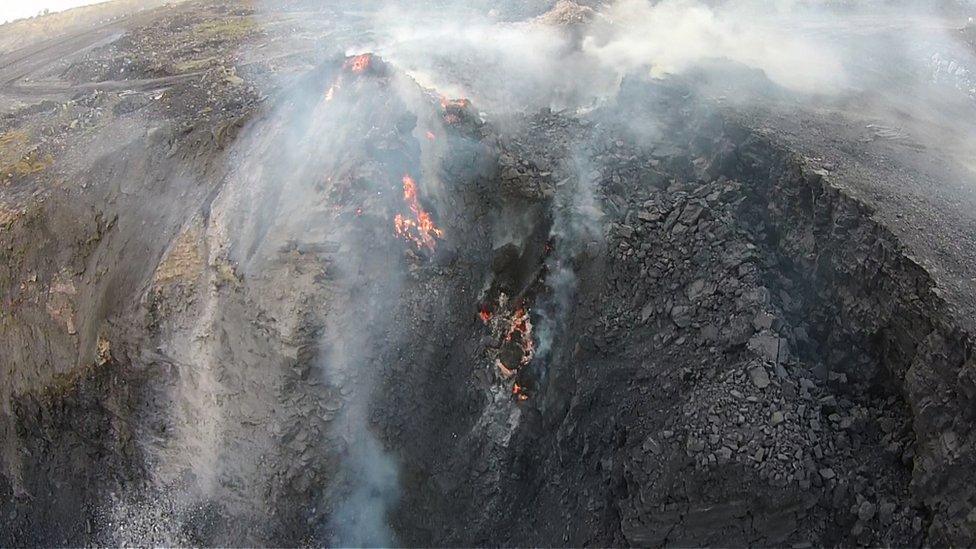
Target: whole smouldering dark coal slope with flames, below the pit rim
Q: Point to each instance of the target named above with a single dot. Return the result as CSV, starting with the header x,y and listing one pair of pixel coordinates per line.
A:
x,y
391,318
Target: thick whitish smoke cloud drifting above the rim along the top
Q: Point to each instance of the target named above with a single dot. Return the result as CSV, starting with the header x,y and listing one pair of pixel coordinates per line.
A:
x,y
821,48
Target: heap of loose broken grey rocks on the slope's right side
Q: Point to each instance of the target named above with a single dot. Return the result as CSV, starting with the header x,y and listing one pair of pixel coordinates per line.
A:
x,y
702,290
